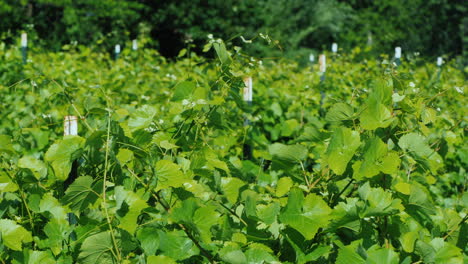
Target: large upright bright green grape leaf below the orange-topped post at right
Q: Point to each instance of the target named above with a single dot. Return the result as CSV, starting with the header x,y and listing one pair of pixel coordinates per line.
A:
x,y
343,144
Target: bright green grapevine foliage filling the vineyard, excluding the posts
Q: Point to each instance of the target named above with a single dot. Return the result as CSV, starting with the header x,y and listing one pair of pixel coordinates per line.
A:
x,y
374,175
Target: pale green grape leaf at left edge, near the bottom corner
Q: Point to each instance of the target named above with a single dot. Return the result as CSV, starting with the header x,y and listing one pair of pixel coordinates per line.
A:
x,y
13,235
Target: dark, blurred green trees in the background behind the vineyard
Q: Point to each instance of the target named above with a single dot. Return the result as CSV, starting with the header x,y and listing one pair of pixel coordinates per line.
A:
x,y
432,27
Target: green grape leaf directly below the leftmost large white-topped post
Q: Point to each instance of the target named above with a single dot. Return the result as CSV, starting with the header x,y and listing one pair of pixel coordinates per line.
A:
x,y
62,153
